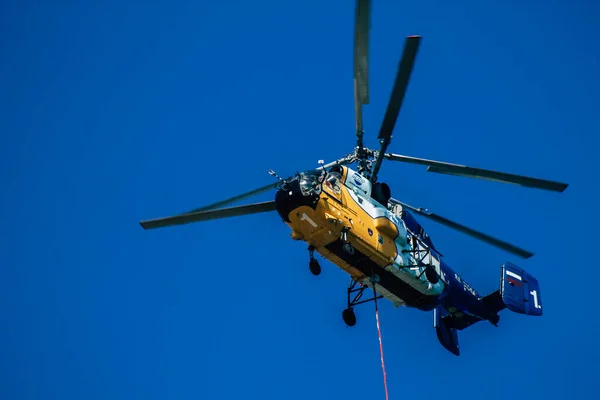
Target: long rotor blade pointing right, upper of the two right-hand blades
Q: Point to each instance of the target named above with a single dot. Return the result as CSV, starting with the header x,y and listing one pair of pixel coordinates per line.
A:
x,y
470,172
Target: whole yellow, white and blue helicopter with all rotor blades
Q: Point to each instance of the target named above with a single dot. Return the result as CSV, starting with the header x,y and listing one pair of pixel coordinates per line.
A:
x,y
350,218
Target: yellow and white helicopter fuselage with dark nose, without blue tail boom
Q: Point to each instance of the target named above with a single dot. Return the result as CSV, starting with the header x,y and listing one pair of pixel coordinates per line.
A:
x,y
346,226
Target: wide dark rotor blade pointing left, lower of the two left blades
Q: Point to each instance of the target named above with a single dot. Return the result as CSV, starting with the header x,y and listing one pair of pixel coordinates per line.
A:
x,y
208,215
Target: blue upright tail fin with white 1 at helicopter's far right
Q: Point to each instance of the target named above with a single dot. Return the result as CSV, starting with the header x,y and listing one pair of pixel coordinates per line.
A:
x,y
519,292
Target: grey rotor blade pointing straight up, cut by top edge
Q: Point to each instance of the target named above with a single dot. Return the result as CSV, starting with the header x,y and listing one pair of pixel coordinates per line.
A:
x,y
361,63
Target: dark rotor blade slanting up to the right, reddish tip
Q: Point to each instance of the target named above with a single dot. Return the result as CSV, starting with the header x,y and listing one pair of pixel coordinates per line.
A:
x,y
411,46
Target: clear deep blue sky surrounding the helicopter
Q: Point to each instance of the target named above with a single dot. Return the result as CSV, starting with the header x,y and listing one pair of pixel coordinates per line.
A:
x,y
119,112
